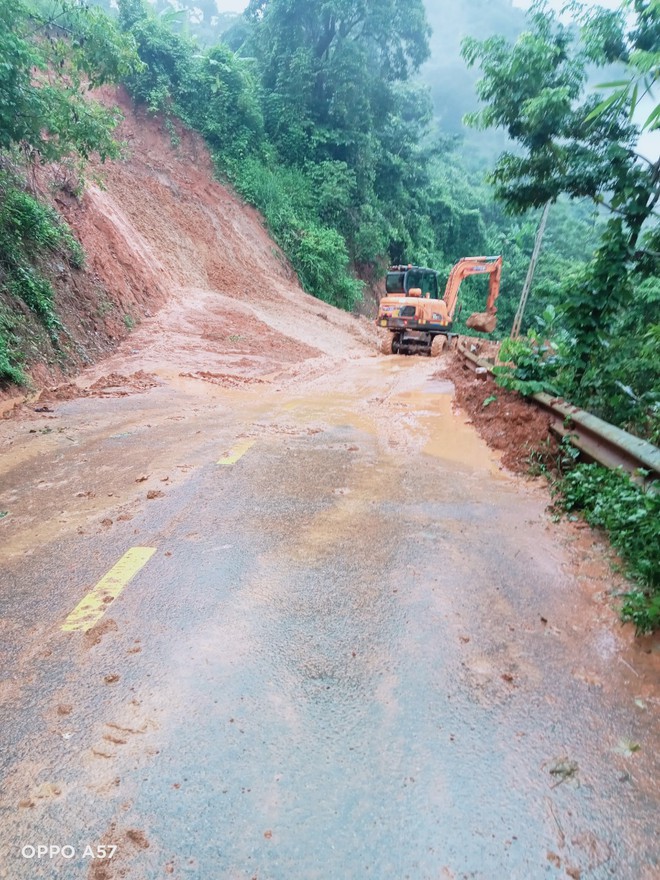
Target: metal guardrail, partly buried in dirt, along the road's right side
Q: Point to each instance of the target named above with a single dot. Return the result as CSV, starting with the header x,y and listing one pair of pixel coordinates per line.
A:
x,y
596,439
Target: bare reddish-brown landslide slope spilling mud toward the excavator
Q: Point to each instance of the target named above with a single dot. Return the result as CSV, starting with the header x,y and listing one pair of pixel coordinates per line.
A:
x,y
163,237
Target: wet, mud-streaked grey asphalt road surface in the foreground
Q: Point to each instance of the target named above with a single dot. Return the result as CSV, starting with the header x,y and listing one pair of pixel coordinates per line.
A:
x,y
353,654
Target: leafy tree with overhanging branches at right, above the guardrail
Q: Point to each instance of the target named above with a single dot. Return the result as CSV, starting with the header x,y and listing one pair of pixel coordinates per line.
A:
x,y
570,142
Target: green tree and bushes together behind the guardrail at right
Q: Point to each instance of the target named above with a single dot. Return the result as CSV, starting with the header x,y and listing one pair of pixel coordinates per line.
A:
x,y
572,142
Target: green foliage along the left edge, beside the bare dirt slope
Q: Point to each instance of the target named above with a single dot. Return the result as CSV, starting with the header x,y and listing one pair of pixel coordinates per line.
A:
x,y
52,54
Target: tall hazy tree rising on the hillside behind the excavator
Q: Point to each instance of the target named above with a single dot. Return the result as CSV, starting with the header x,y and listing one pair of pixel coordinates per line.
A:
x,y
338,99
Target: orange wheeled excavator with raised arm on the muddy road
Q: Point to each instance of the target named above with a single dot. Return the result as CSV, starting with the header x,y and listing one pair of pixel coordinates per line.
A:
x,y
417,319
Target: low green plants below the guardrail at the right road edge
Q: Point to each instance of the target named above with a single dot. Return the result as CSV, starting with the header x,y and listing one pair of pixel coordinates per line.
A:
x,y
609,500
